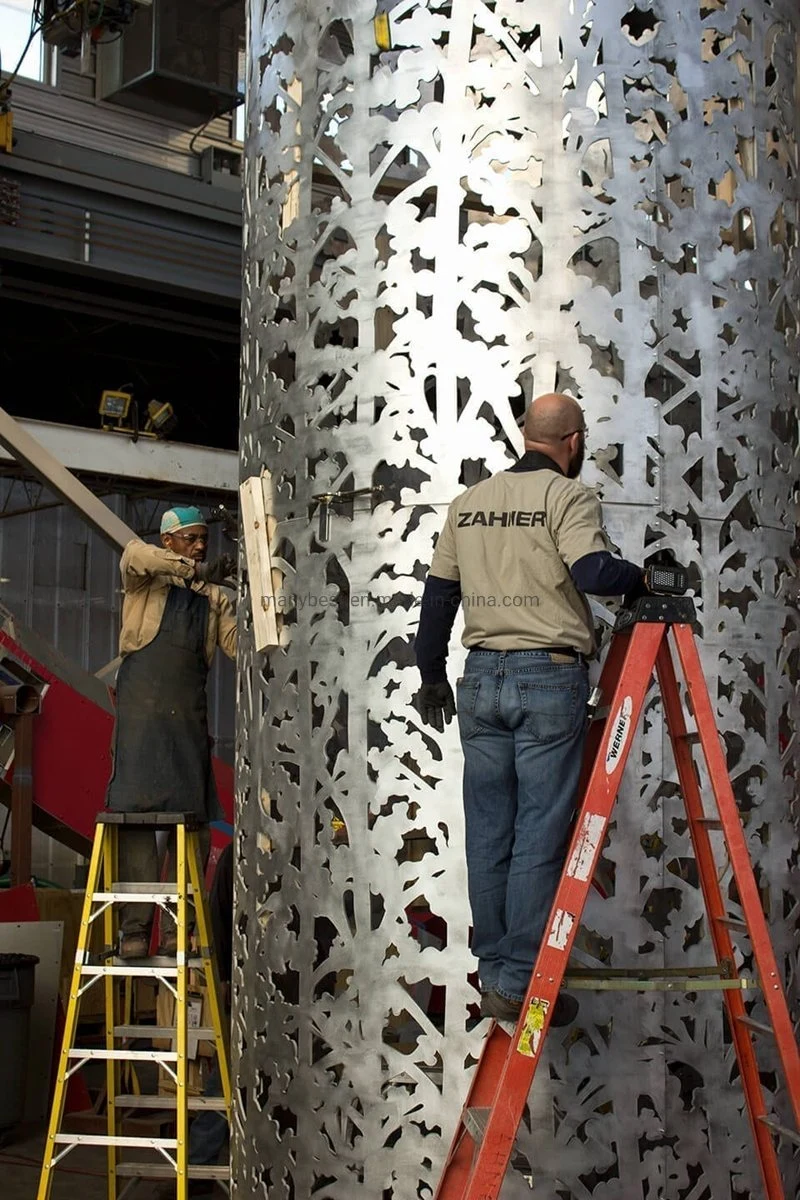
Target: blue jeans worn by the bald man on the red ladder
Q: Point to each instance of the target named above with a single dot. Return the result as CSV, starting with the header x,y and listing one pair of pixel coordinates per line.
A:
x,y
524,722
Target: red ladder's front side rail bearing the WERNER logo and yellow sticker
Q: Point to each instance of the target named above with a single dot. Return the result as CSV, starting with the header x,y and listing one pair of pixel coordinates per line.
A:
x,y
514,1087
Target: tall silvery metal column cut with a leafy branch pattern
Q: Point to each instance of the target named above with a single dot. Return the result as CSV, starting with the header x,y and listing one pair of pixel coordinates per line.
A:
x,y
515,197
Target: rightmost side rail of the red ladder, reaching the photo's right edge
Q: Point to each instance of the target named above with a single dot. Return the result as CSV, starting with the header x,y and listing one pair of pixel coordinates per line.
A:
x,y
741,862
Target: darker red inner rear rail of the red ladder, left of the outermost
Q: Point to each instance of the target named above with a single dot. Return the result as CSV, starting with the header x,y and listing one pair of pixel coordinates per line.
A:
x,y
715,911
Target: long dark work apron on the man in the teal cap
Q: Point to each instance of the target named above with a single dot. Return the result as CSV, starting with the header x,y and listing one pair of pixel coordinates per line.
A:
x,y
163,760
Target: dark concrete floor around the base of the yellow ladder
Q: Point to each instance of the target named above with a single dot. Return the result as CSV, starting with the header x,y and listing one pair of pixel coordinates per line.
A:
x,y
81,1175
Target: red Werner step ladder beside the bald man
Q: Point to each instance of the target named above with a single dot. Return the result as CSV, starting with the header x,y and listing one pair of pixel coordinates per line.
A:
x,y
645,639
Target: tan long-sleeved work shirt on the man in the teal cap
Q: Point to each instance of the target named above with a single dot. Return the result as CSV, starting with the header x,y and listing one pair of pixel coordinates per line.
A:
x,y
148,574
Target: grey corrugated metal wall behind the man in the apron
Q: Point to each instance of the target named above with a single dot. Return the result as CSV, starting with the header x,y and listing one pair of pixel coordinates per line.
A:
x,y
59,579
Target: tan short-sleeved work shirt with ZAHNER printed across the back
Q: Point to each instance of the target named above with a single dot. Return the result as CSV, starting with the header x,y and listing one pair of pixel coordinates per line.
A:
x,y
510,542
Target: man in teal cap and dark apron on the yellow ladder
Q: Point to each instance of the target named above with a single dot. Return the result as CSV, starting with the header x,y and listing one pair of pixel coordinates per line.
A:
x,y
175,617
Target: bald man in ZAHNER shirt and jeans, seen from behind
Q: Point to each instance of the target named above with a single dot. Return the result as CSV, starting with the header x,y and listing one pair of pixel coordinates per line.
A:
x,y
519,551
